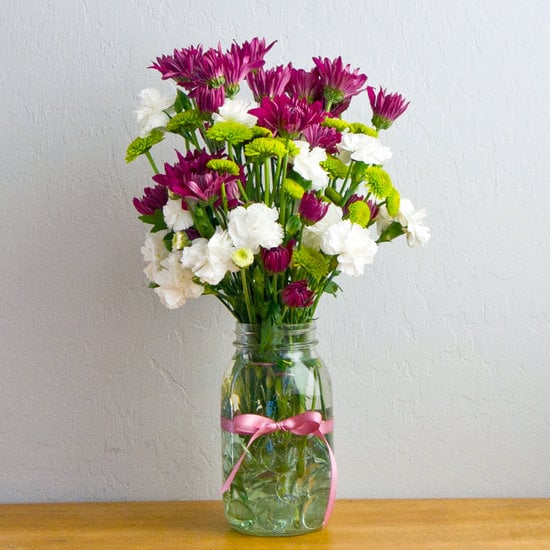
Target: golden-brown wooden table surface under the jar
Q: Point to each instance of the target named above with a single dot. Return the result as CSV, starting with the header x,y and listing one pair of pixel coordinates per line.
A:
x,y
355,524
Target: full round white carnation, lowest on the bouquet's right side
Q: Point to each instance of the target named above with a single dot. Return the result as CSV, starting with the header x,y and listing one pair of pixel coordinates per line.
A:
x,y
352,244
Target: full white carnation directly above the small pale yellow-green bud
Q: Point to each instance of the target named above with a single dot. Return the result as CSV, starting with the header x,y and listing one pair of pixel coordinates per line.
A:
x,y
255,227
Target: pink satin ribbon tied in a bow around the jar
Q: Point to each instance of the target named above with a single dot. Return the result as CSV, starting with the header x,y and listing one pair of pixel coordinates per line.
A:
x,y
307,423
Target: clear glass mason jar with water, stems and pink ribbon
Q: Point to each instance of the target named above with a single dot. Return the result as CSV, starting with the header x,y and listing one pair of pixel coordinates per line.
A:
x,y
276,410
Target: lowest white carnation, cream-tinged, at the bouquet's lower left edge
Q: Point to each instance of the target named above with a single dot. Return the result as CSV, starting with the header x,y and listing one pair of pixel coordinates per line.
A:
x,y
175,282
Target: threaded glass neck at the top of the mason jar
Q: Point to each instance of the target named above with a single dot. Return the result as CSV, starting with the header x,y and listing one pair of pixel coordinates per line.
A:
x,y
275,336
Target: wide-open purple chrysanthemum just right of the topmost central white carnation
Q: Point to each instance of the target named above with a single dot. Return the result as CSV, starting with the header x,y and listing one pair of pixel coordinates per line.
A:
x,y
288,116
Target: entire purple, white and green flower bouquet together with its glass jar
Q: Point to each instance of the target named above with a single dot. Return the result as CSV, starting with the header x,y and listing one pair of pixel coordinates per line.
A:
x,y
271,195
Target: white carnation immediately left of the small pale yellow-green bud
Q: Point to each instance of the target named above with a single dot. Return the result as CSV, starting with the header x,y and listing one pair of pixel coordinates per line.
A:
x,y
210,259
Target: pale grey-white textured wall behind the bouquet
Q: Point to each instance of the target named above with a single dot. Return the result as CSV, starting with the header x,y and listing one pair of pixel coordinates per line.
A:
x,y
440,357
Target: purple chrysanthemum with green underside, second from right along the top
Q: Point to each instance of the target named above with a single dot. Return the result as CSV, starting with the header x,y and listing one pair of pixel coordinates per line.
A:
x,y
340,83
